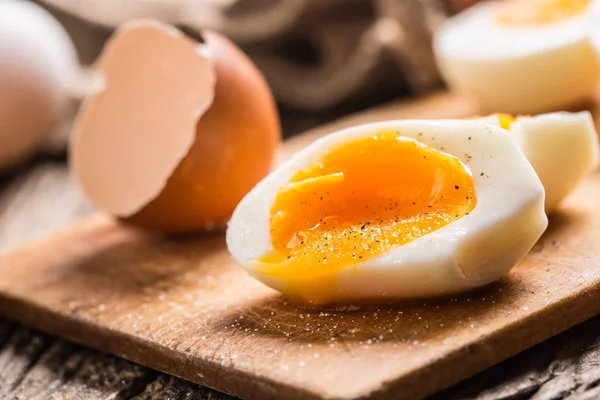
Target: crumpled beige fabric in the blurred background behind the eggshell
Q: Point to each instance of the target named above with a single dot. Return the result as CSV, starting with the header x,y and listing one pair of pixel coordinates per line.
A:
x,y
315,54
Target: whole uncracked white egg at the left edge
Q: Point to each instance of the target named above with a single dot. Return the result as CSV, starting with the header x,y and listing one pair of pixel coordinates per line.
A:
x,y
37,64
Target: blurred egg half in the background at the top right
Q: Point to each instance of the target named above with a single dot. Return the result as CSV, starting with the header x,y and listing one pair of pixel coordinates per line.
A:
x,y
519,56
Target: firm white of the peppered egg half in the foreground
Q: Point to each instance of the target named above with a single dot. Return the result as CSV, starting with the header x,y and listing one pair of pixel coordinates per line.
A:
x,y
476,249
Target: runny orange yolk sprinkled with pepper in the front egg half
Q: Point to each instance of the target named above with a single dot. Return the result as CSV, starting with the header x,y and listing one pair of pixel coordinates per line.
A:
x,y
363,199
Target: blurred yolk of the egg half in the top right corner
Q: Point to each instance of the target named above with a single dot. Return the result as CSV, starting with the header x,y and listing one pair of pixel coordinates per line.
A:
x,y
535,12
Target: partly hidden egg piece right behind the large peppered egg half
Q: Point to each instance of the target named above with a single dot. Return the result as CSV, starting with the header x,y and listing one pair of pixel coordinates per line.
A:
x,y
562,148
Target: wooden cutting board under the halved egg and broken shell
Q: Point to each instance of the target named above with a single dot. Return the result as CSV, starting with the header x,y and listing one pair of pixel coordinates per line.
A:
x,y
183,306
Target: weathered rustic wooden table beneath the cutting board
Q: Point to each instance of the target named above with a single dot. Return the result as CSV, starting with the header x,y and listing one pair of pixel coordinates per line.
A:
x,y
41,198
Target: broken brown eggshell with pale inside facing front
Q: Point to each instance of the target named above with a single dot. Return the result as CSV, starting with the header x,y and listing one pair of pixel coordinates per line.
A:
x,y
179,132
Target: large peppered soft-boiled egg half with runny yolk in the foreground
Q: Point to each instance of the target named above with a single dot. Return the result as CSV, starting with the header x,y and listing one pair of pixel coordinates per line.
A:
x,y
396,209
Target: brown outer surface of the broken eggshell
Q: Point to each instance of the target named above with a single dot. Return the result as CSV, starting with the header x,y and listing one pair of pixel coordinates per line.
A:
x,y
235,142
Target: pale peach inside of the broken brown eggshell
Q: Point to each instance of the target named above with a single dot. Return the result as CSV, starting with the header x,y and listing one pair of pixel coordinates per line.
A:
x,y
130,136
